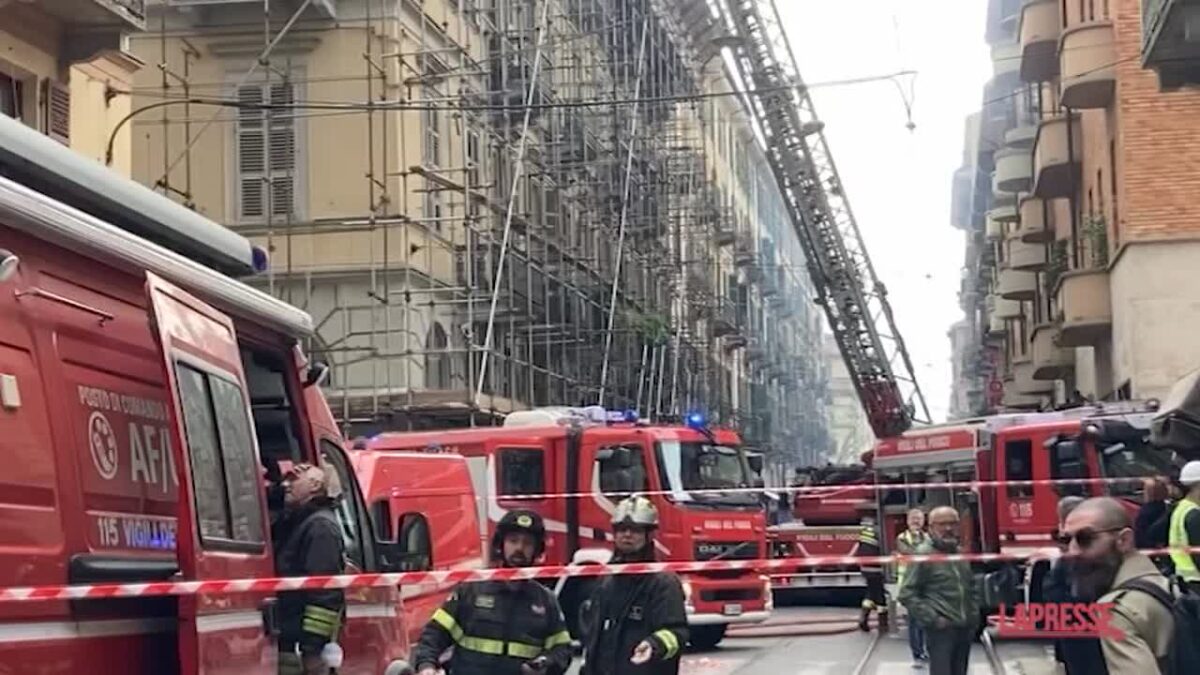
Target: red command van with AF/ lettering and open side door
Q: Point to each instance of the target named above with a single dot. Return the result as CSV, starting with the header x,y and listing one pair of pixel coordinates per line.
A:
x,y
143,399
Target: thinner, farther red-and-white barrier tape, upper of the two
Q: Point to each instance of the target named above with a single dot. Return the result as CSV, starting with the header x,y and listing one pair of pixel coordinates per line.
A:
x,y
826,489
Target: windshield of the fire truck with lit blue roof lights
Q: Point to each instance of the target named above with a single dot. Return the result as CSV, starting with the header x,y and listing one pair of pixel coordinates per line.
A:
x,y
692,467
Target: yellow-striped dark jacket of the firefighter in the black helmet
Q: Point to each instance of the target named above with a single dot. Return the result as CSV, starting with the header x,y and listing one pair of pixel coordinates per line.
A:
x,y
495,628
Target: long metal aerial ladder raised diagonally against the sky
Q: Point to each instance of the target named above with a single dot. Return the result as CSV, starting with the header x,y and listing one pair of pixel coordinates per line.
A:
x,y
794,141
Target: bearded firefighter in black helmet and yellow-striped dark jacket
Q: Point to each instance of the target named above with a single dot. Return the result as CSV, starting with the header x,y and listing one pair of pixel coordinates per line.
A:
x,y
501,628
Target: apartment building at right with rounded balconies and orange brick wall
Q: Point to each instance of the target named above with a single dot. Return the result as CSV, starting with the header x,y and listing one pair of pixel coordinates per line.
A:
x,y
1093,235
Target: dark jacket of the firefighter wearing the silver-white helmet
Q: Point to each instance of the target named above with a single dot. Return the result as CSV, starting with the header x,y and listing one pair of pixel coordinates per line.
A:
x,y
631,608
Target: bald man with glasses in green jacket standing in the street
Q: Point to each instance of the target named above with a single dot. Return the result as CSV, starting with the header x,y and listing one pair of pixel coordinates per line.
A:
x,y
943,598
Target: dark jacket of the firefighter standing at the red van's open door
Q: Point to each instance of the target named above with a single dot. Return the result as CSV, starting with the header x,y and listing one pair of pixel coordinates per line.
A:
x,y
310,545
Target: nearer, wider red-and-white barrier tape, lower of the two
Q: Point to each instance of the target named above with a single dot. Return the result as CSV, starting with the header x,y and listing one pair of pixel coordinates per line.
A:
x,y
377,581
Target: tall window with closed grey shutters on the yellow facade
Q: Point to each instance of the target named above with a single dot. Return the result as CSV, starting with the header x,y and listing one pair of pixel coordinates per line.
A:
x,y
266,148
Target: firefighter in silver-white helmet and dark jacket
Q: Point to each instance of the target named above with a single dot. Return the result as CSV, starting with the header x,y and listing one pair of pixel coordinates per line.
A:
x,y
638,624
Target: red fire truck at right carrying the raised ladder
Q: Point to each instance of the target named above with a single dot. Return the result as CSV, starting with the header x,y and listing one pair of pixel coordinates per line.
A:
x,y
1095,441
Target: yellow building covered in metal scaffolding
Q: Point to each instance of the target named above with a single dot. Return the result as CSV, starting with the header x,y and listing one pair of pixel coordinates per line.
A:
x,y
459,247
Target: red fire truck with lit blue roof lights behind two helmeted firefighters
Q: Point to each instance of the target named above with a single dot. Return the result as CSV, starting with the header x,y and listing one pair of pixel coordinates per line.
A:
x,y
542,455
